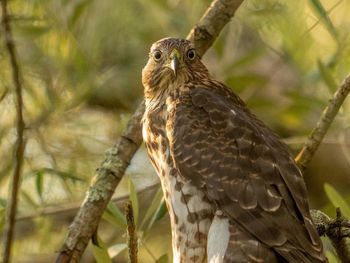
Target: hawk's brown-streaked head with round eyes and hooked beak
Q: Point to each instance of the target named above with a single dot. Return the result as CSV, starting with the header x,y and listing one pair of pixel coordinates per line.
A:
x,y
172,61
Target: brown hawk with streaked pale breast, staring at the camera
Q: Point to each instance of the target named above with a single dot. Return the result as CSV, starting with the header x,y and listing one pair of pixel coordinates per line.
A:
x,y
232,188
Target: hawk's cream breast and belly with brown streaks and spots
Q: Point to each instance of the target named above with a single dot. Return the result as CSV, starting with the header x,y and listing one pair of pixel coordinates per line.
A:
x,y
190,212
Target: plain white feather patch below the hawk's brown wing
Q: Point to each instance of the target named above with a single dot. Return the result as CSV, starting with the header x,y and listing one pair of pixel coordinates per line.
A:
x,y
218,238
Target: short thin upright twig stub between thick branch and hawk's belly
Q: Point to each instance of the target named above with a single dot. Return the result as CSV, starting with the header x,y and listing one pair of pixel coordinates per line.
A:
x,y
132,234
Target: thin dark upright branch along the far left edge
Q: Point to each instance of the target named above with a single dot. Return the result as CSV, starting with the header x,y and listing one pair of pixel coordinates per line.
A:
x,y
20,144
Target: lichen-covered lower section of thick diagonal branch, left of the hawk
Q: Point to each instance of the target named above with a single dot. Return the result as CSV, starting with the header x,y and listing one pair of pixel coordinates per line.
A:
x,y
107,177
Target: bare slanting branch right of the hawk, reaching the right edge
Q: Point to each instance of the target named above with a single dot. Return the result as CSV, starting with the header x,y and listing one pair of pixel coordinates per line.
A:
x,y
322,126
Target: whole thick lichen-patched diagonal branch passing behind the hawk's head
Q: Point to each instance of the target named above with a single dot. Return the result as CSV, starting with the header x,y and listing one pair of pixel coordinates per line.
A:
x,y
117,159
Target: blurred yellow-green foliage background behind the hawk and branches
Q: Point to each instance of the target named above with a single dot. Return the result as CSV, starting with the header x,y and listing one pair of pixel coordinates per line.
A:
x,y
81,63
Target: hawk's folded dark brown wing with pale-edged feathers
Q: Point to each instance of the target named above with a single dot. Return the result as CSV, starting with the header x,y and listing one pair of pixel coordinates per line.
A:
x,y
243,167
